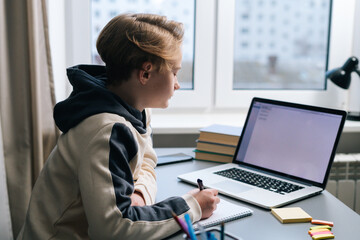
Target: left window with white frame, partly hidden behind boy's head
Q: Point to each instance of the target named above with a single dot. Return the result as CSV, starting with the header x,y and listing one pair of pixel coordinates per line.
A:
x,y
198,82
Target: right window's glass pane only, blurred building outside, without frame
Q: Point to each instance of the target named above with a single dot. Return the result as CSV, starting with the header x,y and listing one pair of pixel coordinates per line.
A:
x,y
284,57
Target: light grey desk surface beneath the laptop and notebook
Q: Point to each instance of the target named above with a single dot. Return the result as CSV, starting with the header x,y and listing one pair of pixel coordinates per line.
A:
x,y
262,224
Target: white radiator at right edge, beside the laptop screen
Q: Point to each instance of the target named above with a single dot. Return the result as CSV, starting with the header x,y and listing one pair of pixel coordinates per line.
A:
x,y
344,180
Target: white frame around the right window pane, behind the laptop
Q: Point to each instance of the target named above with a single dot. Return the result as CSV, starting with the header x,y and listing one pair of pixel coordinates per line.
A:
x,y
228,97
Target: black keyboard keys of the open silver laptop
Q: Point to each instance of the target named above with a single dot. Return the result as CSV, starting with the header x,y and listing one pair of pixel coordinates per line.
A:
x,y
258,180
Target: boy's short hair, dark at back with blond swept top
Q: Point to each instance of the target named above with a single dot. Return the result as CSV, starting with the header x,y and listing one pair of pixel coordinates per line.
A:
x,y
129,40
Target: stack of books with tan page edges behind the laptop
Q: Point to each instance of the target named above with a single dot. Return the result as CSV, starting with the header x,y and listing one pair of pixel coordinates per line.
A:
x,y
217,143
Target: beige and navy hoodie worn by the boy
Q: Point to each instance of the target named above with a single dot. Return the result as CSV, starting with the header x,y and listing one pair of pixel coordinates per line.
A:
x,y
104,154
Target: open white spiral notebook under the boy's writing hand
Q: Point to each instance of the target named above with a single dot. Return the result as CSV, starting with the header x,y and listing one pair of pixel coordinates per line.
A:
x,y
225,212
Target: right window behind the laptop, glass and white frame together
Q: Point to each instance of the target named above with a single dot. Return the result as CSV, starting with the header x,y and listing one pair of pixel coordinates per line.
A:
x,y
285,58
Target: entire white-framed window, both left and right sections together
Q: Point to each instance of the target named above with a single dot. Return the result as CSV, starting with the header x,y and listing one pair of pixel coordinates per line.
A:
x,y
234,49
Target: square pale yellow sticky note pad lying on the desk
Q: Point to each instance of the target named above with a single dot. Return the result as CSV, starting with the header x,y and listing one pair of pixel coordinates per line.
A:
x,y
291,215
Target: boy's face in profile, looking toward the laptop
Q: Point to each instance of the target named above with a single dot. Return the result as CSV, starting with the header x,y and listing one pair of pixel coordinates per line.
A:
x,y
162,85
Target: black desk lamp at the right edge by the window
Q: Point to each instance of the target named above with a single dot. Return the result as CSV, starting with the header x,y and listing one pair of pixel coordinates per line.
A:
x,y
342,78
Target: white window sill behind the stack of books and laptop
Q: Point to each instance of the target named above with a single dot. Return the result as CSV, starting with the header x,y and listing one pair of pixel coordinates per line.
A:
x,y
190,123
